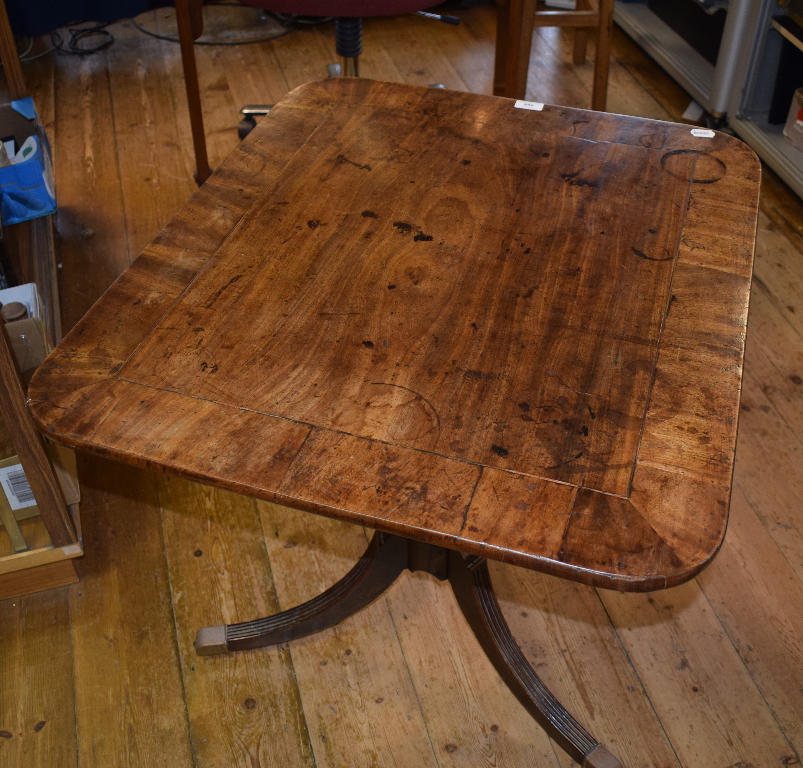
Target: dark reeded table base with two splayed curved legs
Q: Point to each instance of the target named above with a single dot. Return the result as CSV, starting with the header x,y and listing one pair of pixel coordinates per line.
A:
x,y
386,557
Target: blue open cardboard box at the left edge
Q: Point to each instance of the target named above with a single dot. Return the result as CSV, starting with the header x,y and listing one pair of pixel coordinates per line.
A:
x,y
27,190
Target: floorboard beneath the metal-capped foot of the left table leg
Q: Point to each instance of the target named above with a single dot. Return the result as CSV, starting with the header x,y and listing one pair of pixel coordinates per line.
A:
x,y
243,710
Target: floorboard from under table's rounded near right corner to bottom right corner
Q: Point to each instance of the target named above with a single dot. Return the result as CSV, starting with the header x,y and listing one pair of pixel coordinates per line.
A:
x,y
688,660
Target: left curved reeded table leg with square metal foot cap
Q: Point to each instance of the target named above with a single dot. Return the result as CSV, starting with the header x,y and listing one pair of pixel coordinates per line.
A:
x,y
385,558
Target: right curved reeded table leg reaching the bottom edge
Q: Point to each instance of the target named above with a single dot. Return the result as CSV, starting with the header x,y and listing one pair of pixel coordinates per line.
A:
x,y
472,588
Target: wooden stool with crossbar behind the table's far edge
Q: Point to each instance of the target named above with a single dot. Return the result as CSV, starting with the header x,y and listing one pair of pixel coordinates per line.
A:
x,y
515,22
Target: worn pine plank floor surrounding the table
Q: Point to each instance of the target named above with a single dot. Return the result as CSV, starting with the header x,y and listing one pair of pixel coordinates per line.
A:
x,y
102,674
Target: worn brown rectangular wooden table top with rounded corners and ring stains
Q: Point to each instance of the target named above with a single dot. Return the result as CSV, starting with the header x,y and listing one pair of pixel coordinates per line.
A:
x,y
512,332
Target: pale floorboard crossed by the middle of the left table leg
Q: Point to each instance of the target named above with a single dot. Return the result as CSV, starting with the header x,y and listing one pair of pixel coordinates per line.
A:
x,y
359,696
